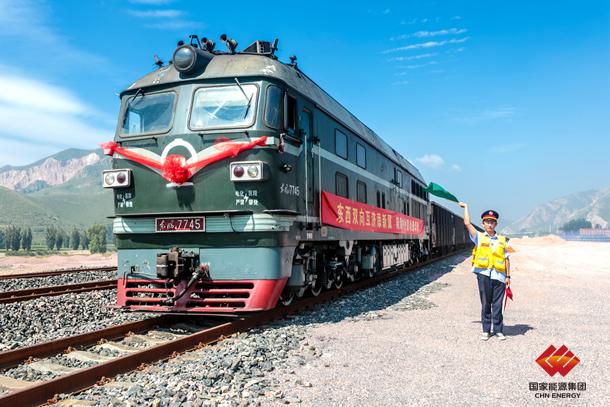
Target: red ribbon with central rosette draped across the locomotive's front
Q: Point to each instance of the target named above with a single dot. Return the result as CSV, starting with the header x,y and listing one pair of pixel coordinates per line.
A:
x,y
175,168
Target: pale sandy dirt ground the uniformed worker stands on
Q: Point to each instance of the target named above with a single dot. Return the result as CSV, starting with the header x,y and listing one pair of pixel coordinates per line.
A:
x,y
435,356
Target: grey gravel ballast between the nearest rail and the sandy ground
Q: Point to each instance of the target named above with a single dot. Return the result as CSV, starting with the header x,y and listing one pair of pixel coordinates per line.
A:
x,y
238,370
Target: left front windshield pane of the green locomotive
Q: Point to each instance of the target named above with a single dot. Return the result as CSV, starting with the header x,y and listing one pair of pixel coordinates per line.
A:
x,y
148,113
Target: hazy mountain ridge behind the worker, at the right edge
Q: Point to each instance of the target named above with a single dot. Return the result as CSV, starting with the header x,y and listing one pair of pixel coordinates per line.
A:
x,y
592,205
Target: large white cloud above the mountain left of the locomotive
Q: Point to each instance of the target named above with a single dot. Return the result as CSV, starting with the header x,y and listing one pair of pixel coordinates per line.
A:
x,y
38,114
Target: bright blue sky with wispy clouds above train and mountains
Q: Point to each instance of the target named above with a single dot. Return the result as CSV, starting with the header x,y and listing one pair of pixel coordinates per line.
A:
x,y
505,104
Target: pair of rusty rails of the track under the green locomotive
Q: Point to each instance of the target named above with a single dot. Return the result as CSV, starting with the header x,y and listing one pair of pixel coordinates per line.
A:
x,y
36,393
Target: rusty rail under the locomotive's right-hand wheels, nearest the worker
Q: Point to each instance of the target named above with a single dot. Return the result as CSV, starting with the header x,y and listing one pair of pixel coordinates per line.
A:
x,y
82,379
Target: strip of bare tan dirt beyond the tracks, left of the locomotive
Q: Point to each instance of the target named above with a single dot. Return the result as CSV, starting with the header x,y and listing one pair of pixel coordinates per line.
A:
x,y
36,264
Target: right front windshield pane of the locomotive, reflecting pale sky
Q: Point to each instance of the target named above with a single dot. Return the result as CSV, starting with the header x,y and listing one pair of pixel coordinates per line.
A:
x,y
224,106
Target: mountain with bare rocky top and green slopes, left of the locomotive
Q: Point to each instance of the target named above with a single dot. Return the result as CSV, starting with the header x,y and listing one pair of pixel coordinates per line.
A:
x,y
63,189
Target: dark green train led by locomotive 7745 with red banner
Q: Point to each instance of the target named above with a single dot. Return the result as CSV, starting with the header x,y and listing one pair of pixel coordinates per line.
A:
x,y
239,183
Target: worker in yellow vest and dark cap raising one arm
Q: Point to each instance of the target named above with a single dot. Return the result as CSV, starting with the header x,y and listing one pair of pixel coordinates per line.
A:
x,y
492,266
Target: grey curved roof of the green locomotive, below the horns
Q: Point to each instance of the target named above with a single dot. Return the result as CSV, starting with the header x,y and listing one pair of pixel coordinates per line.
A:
x,y
239,65
